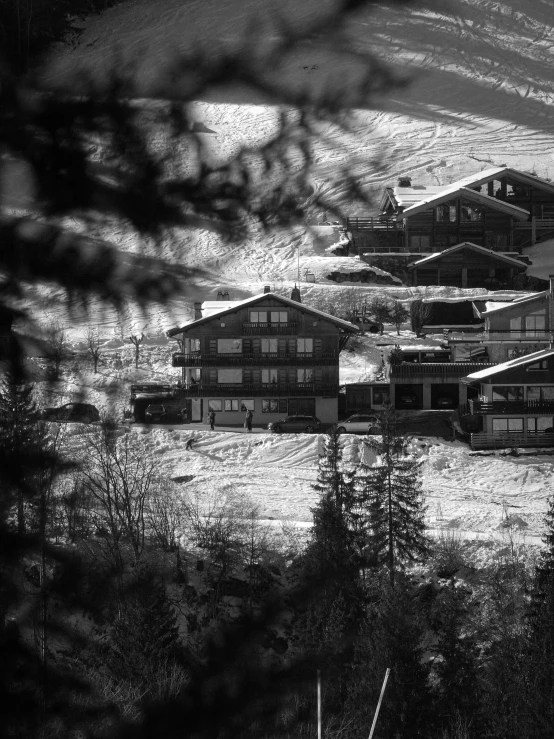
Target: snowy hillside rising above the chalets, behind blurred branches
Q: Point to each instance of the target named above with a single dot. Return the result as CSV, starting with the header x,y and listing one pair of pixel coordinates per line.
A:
x,y
482,96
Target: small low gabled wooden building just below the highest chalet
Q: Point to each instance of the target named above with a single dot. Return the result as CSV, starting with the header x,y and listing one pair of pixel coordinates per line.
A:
x,y
466,265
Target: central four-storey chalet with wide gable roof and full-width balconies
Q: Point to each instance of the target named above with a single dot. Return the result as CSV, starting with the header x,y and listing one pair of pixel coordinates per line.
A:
x,y
268,354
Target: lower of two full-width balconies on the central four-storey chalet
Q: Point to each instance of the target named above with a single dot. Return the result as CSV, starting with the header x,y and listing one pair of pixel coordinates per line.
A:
x,y
268,390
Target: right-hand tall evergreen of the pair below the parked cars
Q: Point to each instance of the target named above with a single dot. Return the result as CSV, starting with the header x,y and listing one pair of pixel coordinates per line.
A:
x,y
389,493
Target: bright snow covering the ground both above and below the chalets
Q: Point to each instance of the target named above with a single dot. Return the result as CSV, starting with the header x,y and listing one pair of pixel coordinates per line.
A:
x,y
483,96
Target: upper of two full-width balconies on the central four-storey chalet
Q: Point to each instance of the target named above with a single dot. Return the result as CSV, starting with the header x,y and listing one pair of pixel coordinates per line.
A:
x,y
265,359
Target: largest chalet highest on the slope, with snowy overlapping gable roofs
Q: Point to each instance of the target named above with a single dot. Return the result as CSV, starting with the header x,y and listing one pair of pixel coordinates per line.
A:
x,y
501,209
